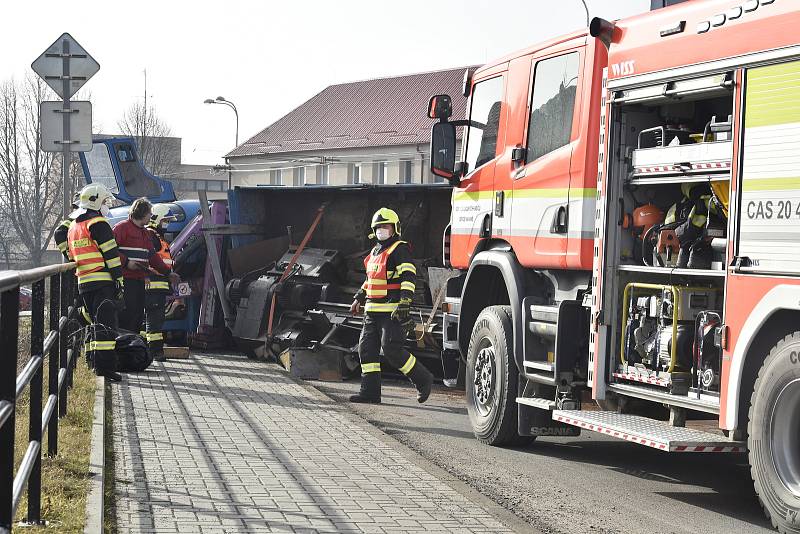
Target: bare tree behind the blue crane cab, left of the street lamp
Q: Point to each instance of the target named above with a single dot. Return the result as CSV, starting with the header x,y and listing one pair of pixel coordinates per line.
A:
x,y
157,154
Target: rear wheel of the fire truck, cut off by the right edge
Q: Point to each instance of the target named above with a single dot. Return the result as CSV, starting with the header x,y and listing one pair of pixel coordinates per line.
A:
x,y
774,435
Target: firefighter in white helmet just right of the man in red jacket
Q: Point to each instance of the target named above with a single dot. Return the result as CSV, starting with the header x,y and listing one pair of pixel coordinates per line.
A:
x,y
157,285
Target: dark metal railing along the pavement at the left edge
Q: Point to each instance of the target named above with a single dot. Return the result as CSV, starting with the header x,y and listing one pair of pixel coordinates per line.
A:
x,y
56,350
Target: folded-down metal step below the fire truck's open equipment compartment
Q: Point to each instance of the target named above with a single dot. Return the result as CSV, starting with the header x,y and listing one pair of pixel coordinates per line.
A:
x,y
648,432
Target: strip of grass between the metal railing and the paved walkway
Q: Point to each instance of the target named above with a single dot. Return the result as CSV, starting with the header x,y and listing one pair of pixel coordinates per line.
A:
x,y
65,481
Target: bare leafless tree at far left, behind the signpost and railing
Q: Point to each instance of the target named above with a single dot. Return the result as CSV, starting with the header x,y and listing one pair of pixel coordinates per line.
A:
x,y
30,179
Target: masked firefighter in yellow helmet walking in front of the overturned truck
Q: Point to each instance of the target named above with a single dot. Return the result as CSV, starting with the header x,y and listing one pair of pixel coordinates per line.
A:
x,y
386,300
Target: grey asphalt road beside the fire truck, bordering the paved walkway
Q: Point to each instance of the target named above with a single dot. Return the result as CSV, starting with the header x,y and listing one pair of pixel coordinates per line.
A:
x,y
590,484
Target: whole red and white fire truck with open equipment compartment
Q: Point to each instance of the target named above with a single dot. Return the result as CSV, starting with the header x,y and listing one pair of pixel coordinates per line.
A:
x,y
625,223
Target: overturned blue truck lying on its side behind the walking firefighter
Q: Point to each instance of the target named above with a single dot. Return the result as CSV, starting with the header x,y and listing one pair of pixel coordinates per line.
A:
x,y
272,270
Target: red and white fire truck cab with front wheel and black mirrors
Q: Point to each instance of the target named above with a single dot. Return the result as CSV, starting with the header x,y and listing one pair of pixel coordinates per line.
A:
x,y
521,231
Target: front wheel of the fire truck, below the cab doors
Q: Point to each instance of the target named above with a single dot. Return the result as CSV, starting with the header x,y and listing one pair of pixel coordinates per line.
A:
x,y
491,381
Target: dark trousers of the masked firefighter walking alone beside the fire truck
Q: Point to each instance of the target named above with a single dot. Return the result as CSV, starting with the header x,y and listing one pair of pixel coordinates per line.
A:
x,y
380,331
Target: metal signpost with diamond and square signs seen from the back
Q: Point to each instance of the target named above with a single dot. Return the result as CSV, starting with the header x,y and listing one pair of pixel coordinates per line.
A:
x,y
65,66
